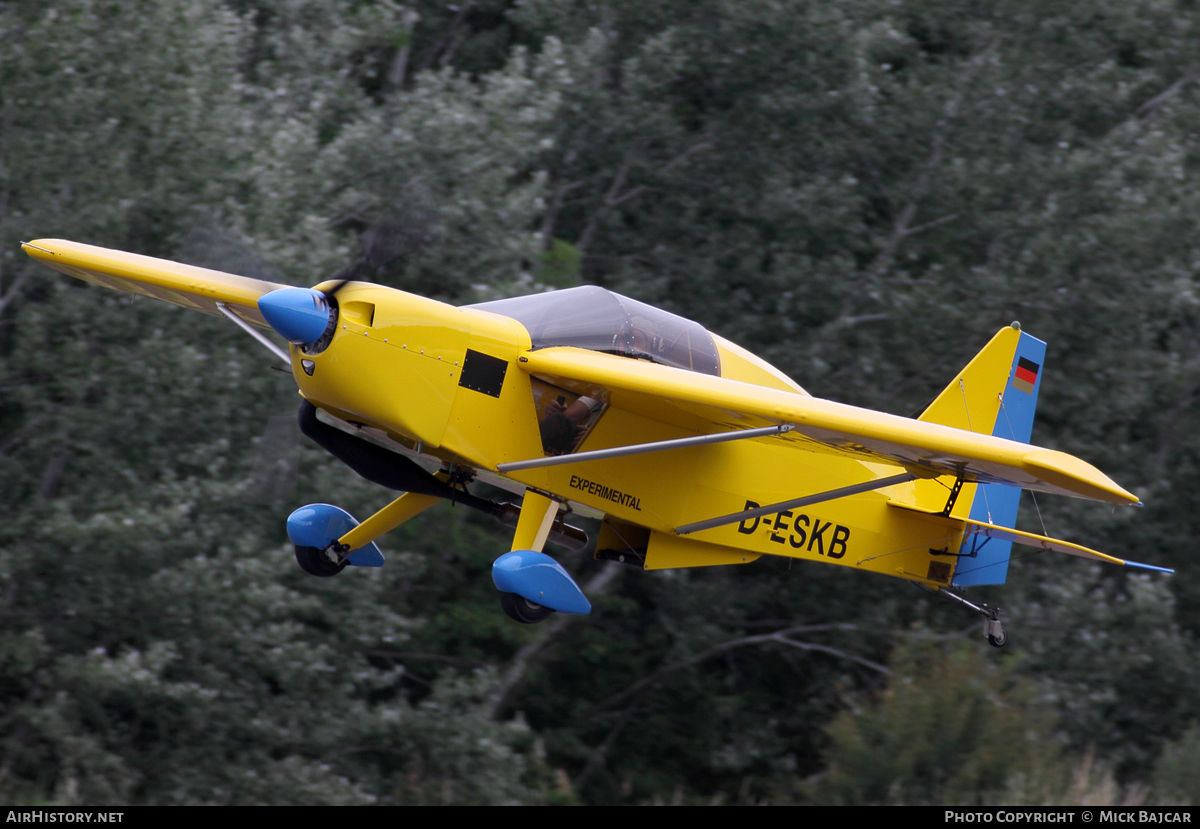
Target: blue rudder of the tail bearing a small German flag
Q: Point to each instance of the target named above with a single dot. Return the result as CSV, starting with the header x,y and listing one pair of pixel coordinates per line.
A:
x,y
997,503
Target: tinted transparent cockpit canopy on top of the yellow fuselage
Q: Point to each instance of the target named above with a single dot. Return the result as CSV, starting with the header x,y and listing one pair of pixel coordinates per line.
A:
x,y
601,321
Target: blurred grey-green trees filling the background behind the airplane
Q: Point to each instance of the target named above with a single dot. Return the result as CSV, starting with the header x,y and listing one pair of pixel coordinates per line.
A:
x,y
862,193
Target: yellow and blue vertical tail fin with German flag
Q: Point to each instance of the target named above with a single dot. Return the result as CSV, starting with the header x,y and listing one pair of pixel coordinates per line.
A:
x,y
997,394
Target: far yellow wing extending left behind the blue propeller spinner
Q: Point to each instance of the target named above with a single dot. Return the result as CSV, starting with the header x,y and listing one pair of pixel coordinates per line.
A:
x,y
185,286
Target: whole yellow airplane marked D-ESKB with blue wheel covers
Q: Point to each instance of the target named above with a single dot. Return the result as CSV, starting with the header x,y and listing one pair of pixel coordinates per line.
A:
x,y
691,450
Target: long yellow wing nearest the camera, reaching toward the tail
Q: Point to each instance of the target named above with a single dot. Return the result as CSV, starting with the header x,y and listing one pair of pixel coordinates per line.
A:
x,y
926,449
